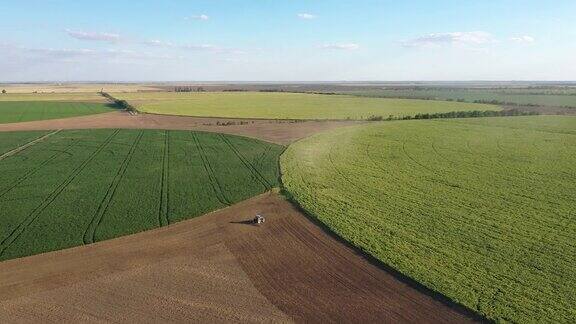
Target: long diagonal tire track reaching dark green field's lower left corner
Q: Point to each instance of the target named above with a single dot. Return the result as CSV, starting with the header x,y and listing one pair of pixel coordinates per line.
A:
x,y
15,234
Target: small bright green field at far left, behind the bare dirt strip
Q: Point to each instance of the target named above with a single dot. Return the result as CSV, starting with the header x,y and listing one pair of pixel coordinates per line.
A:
x,y
22,111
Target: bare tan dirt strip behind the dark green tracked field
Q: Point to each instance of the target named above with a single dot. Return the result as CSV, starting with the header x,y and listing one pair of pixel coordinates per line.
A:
x,y
281,132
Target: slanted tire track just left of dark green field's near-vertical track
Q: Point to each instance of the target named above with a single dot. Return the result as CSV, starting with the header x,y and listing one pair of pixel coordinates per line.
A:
x,y
90,232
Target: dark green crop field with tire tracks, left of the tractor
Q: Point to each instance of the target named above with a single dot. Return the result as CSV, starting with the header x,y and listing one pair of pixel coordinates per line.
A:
x,y
78,187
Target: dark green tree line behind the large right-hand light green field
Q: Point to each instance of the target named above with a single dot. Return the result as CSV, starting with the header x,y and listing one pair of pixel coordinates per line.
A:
x,y
458,114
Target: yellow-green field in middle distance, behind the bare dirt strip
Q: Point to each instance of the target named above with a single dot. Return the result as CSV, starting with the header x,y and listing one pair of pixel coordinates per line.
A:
x,y
285,105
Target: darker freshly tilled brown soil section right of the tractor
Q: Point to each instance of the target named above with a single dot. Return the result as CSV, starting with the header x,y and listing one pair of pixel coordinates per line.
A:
x,y
333,283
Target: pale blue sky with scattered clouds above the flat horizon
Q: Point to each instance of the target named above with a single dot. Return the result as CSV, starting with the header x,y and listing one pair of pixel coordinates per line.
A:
x,y
291,40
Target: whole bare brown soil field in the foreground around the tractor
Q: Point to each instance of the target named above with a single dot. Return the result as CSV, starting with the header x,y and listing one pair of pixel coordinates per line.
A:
x,y
216,268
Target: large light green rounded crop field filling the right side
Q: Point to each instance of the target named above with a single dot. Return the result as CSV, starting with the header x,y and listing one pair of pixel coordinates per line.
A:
x,y
481,210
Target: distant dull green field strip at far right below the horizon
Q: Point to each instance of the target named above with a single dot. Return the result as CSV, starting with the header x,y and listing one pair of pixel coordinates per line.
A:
x,y
553,98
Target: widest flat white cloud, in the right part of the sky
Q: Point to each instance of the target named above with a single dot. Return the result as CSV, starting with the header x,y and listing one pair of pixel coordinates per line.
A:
x,y
455,38
